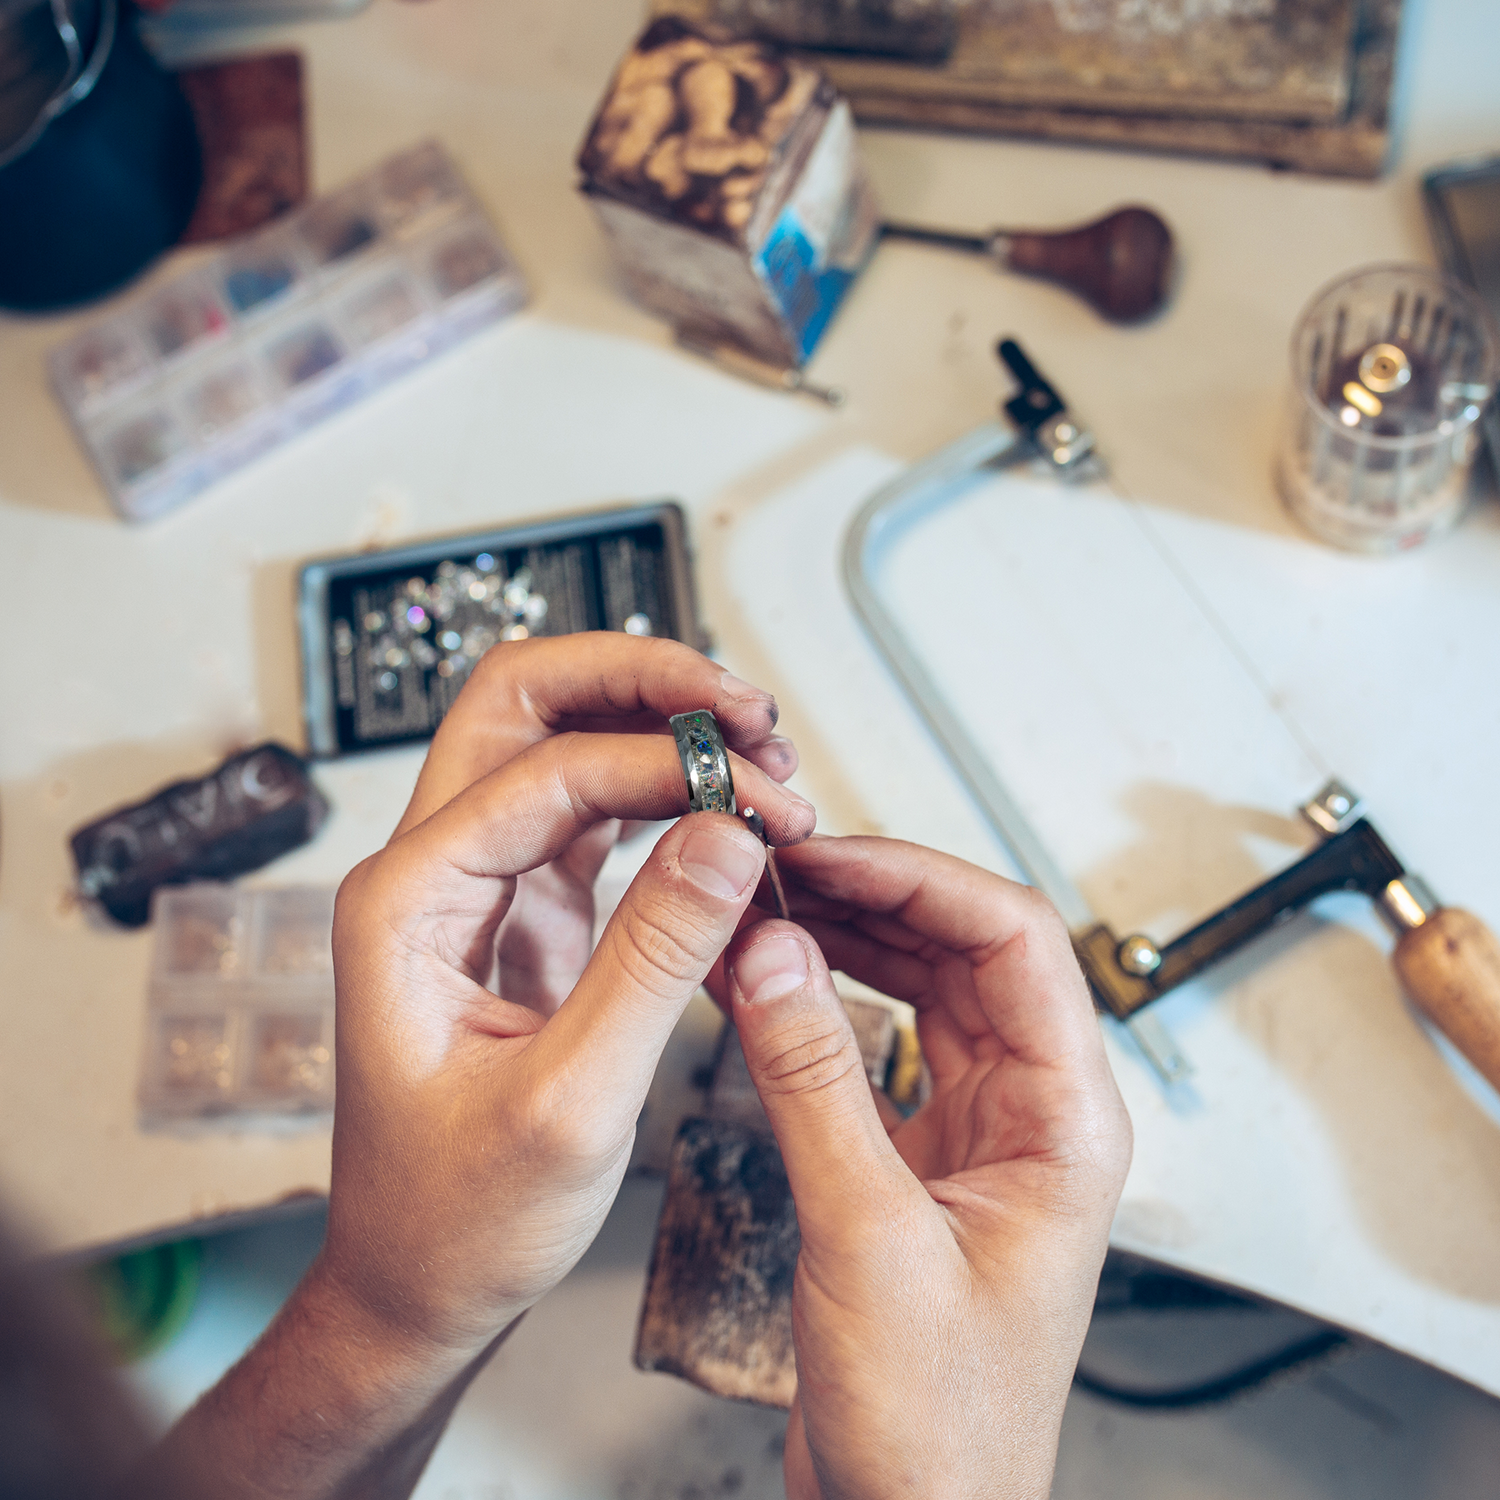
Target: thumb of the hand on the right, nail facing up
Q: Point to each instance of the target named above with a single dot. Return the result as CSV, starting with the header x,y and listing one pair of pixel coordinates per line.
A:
x,y
808,1069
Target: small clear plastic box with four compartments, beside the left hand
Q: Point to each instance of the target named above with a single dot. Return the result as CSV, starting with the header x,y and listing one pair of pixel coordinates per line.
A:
x,y
241,1006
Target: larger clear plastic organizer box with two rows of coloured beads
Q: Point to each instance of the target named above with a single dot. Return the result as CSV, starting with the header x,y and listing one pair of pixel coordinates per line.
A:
x,y
284,328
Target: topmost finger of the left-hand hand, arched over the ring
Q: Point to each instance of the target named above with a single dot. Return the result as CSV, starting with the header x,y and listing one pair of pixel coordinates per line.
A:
x,y
524,691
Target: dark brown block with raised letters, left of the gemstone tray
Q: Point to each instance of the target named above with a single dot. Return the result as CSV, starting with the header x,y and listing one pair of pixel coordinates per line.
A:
x,y
254,808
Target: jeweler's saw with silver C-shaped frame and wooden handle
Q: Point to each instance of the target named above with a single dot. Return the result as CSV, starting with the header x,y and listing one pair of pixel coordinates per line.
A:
x,y
1447,959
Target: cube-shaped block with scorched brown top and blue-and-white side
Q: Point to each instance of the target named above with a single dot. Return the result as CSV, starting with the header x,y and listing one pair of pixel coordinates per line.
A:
x,y
730,184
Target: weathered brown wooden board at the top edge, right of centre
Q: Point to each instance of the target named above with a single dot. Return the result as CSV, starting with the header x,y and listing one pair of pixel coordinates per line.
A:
x,y
1303,85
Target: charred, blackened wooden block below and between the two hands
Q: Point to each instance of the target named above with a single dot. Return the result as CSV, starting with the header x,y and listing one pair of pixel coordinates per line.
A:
x,y
719,1295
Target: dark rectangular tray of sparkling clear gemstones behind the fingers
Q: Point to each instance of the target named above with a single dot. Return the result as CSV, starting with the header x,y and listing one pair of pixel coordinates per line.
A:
x,y
391,638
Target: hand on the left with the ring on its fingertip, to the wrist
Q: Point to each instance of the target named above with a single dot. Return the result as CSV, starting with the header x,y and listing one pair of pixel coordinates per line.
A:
x,y
479,1136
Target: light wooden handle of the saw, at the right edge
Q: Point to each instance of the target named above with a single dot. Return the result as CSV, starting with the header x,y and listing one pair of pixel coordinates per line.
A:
x,y
1451,968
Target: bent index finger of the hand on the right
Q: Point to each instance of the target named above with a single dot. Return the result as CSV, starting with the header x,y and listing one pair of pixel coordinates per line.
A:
x,y
1028,983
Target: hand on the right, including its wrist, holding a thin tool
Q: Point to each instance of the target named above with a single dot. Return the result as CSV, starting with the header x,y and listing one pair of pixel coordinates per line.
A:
x,y
949,1262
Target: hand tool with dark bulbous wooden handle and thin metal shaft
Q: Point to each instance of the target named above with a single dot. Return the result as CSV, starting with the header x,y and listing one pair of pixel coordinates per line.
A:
x,y
1120,265
